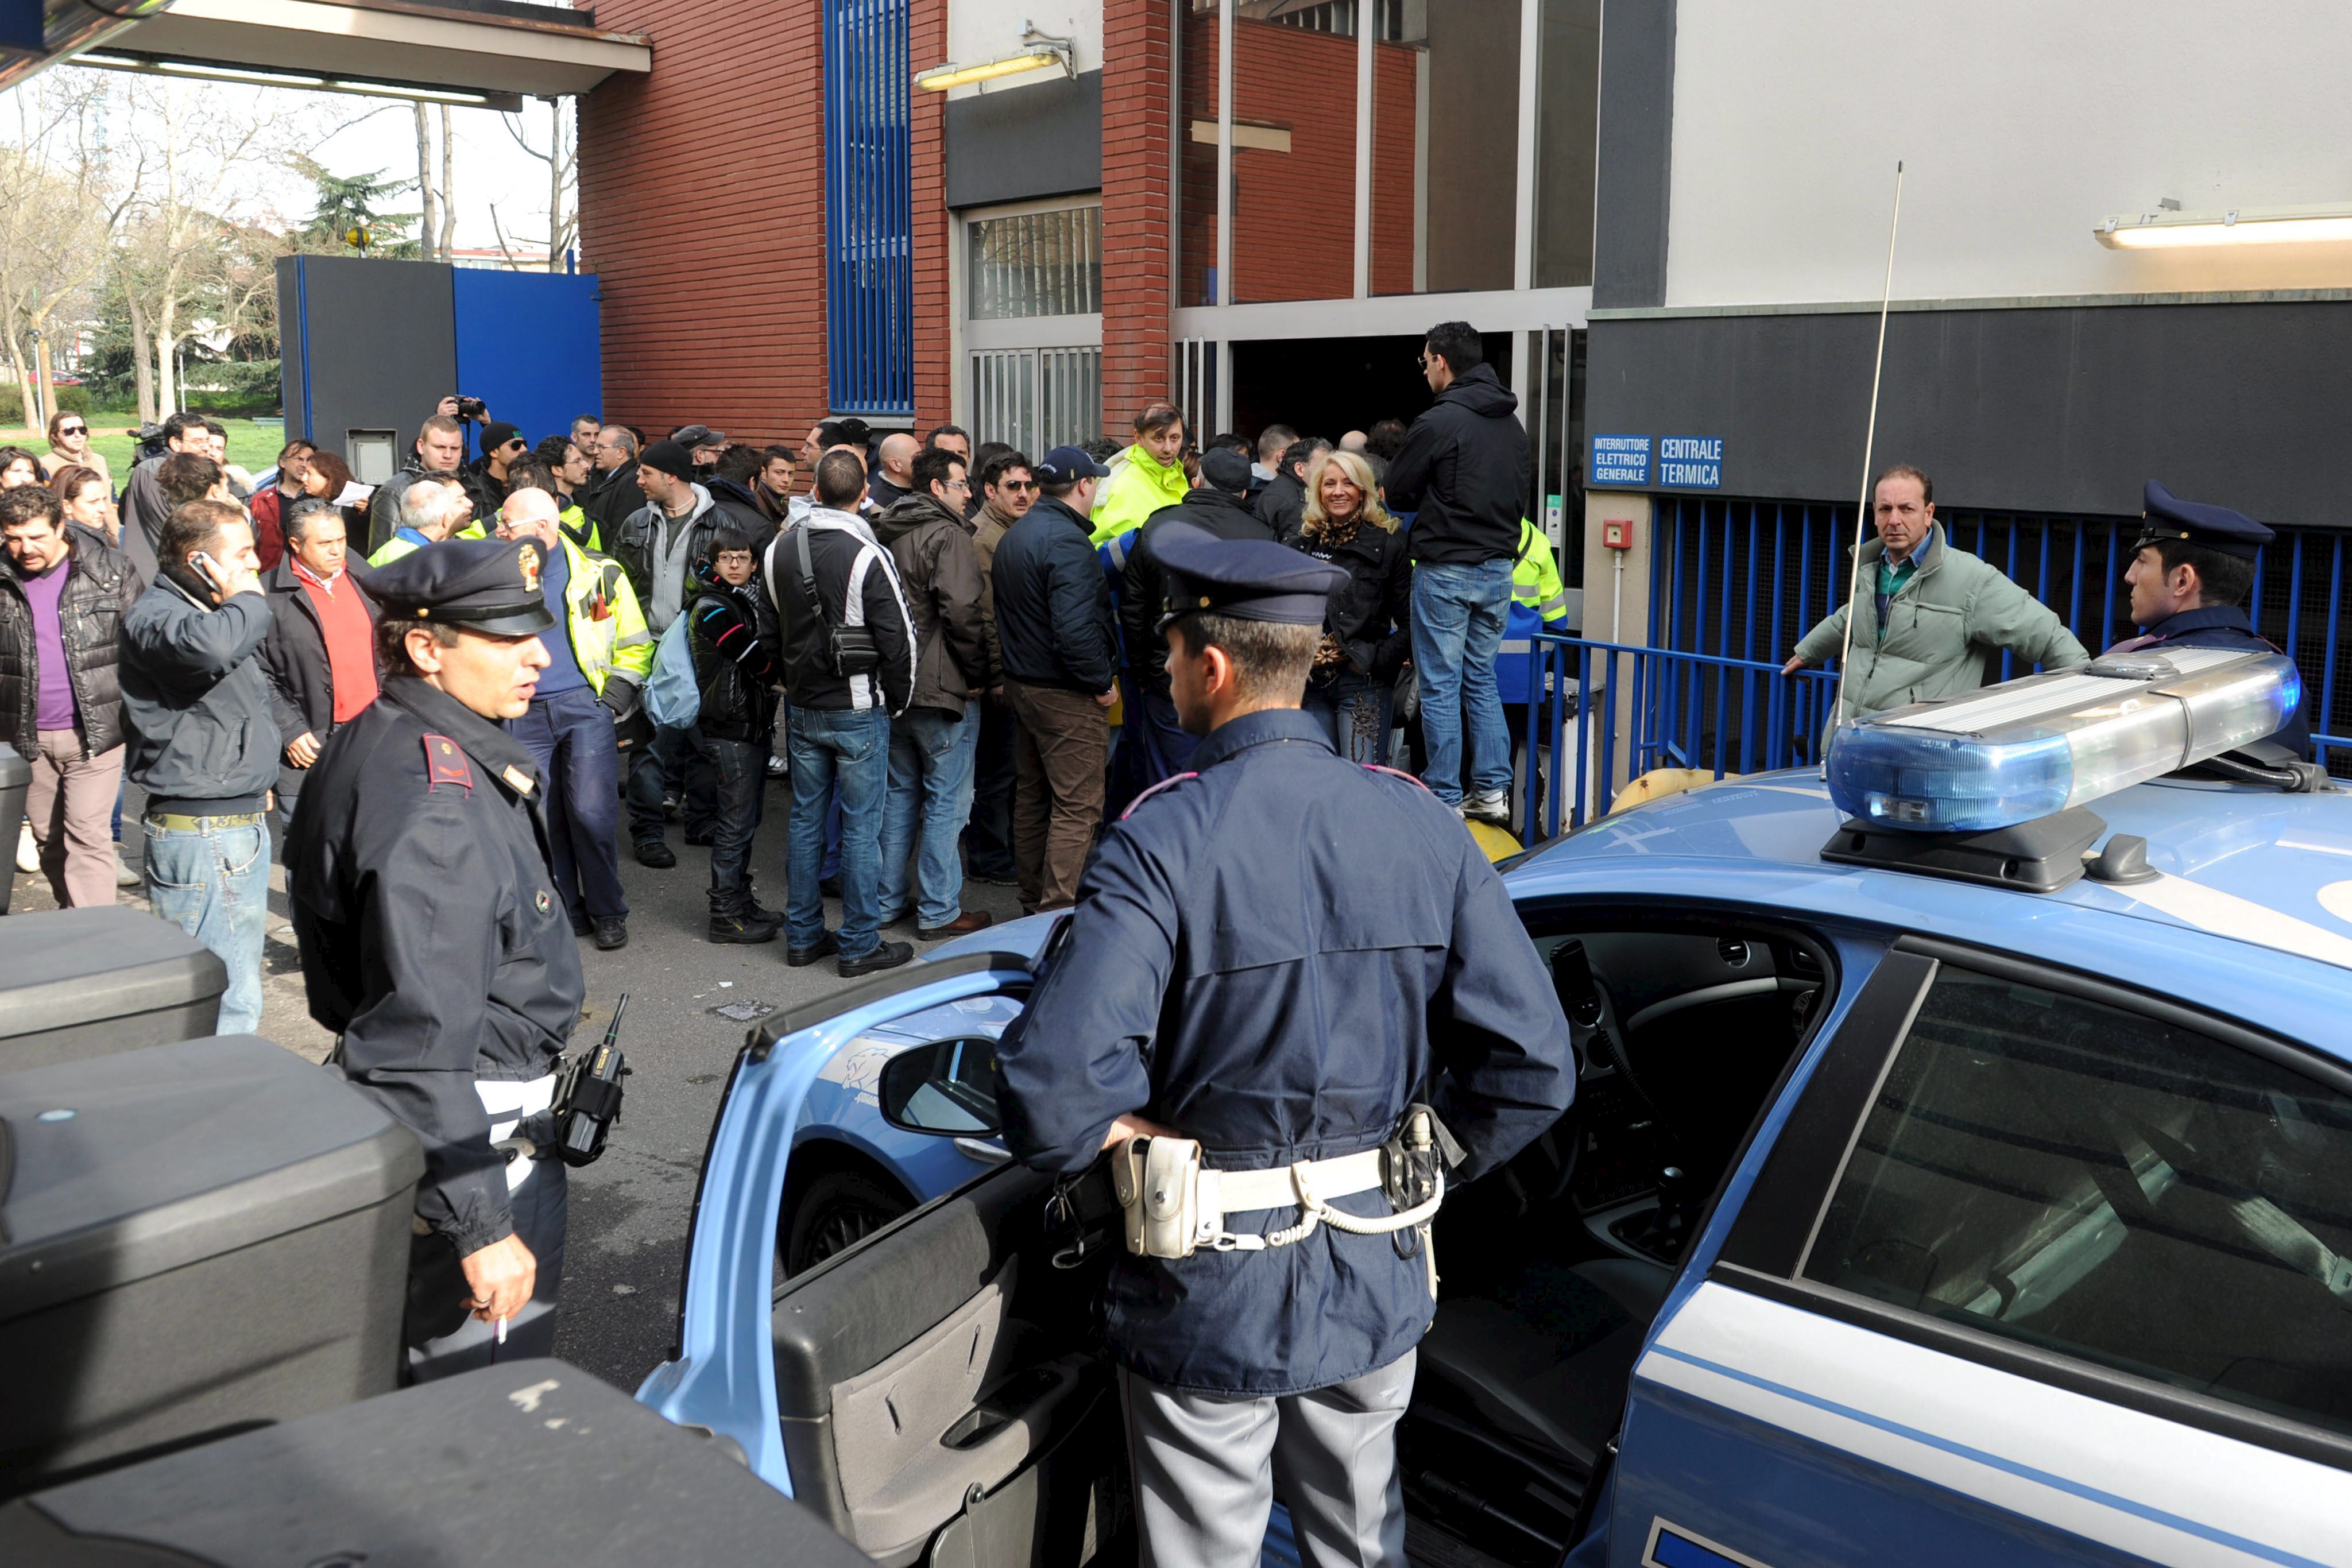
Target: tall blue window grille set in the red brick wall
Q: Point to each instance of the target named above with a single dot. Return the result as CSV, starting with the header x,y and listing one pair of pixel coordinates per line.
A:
x,y
869,208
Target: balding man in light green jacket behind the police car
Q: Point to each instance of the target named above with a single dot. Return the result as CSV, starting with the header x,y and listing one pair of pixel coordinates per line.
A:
x,y
1932,617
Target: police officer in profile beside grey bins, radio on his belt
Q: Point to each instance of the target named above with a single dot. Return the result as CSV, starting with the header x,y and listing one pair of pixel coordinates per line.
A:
x,y
434,942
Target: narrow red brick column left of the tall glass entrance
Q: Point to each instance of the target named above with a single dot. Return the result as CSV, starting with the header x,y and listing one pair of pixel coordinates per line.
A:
x,y
1137,363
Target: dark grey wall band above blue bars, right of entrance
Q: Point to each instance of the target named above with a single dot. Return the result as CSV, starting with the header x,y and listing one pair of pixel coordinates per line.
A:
x,y
2064,410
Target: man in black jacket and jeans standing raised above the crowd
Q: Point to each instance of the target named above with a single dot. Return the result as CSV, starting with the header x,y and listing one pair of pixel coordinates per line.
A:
x,y
1464,469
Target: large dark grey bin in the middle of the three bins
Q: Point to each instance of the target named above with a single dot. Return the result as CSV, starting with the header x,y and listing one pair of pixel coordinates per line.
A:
x,y
194,1240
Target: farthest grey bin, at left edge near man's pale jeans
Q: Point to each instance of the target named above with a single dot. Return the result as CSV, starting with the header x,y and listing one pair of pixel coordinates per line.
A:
x,y
93,981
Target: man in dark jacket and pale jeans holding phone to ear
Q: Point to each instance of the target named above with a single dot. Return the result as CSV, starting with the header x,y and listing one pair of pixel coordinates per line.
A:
x,y
203,742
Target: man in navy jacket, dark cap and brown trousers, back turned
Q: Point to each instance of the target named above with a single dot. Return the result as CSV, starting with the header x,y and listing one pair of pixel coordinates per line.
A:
x,y
1060,650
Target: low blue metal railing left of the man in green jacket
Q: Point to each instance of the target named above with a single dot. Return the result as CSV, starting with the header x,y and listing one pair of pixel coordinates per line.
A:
x,y
1678,711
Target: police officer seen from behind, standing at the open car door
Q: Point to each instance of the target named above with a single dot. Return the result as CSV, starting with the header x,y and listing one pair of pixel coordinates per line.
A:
x,y
1274,958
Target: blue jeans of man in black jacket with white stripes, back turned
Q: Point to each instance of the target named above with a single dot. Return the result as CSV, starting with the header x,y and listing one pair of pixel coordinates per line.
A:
x,y
850,749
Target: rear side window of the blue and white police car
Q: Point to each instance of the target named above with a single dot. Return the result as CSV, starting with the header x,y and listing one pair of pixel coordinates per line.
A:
x,y
2109,1186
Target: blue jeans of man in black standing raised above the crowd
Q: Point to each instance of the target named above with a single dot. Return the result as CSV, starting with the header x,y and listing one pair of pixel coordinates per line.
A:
x,y
1457,636
